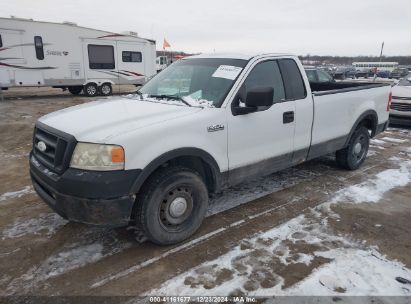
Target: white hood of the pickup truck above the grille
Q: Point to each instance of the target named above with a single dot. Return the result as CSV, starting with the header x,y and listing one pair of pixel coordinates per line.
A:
x,y
101,120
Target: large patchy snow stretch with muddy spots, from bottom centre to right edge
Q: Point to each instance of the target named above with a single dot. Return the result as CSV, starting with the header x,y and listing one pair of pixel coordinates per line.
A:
x,y
352,268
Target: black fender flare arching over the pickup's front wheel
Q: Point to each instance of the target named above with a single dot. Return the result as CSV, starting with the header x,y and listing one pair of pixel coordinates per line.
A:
x,y
157,162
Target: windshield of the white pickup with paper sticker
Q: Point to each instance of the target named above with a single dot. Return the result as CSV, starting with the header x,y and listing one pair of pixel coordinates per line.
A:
x,y
198,81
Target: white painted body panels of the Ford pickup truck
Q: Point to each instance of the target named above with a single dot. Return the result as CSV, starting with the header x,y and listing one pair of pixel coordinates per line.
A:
x,y
147,130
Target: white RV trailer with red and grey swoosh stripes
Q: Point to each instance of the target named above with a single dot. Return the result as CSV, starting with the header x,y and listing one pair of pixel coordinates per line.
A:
x,y
64,55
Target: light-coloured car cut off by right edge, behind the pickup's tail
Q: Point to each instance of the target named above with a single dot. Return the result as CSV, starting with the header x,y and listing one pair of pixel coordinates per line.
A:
x,y
400,112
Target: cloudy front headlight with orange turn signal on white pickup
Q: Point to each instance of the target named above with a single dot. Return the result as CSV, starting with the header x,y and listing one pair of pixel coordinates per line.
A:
x,y
97,157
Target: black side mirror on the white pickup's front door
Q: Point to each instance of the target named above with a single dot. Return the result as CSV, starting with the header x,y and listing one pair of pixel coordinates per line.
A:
x,y
255,97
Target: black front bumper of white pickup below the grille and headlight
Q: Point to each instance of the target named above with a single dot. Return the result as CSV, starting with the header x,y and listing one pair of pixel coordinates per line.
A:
x,y
90,197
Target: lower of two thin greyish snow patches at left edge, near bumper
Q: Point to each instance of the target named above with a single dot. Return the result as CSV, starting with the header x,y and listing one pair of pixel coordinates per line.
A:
x,y
44,223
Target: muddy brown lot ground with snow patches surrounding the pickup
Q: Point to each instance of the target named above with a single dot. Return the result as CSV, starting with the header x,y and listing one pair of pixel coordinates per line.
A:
x,y
300,231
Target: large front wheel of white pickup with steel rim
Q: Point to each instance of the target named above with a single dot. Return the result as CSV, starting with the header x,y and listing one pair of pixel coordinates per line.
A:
x,y
162,223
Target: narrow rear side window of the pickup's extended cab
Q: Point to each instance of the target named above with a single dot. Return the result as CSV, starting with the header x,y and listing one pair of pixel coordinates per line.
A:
x,y
293,82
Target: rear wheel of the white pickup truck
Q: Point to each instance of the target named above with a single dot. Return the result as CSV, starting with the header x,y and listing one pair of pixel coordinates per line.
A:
x,y
352,156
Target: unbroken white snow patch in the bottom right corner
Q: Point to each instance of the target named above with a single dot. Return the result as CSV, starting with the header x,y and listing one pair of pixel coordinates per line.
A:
x,y
354,272
